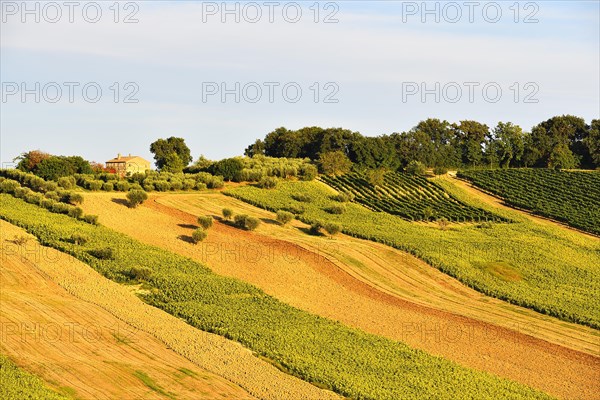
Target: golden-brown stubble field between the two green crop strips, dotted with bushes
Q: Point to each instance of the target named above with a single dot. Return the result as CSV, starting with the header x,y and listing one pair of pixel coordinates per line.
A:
x,y
371,287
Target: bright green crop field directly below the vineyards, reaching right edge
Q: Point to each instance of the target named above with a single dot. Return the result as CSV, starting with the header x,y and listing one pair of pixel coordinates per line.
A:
x,y
548,269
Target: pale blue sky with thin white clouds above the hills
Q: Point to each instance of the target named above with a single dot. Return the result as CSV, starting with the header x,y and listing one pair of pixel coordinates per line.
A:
x,y
100,78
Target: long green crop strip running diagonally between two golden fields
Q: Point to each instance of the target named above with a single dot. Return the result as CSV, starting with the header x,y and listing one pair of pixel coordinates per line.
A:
x,y
350,362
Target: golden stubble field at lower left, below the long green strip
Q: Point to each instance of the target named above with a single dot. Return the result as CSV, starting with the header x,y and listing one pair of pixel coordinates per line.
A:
x,y
95,339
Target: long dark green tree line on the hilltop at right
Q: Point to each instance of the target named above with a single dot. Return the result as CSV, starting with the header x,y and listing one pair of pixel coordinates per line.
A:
x,y
561,142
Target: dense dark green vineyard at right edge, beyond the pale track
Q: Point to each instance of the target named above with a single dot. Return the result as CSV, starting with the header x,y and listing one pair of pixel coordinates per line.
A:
x,y
570,197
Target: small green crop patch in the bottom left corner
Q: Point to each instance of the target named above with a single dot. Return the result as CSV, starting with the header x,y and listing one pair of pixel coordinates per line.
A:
x,y
17,384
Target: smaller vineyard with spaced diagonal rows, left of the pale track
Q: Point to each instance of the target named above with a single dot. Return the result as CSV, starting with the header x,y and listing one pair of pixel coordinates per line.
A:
x,y
408,196
